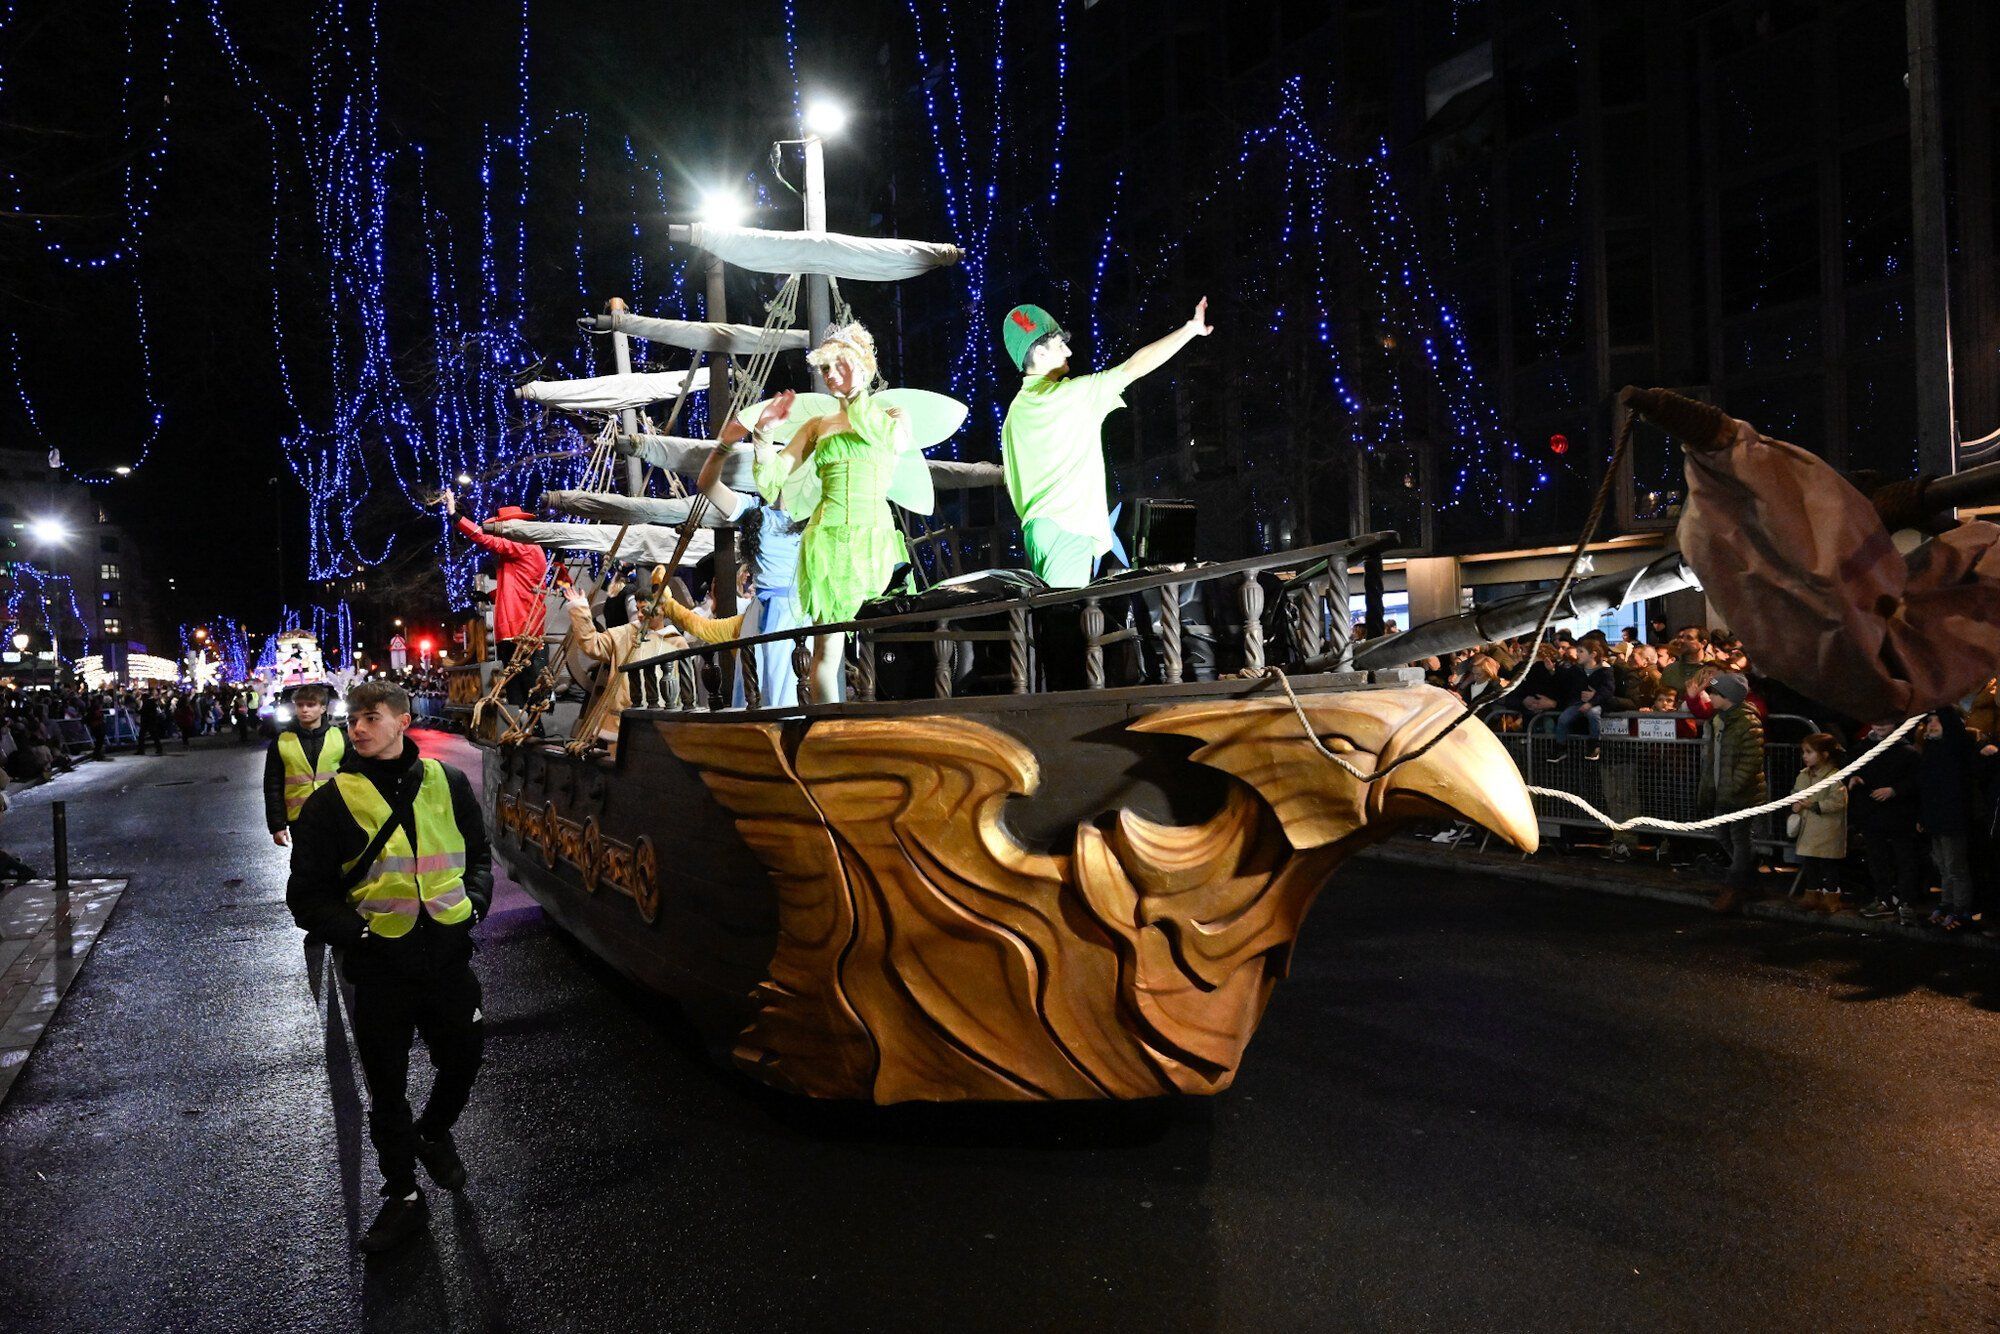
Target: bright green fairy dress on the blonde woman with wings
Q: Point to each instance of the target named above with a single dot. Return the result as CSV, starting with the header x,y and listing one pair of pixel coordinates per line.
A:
x,y
851,543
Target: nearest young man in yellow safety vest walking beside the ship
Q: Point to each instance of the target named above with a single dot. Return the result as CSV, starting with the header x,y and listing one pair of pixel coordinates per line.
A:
x,y
391,865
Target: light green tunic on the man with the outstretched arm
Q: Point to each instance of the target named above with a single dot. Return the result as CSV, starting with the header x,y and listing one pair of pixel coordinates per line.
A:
x,y
1053,447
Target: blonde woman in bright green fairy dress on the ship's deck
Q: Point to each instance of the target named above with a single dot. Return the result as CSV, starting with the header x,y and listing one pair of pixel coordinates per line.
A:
x,y
851,543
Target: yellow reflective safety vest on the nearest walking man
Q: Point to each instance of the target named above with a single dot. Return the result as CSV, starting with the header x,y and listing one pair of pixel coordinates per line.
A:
x,y
407,881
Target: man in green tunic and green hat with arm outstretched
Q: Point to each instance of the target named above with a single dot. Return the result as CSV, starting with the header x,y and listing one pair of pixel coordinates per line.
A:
x,y
1053,441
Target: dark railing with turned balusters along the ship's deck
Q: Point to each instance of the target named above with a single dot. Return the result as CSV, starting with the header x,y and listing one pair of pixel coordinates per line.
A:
x,y
1315,625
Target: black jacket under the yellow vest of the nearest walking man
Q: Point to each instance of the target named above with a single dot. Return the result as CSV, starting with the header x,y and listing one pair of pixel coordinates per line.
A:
x,y
325,839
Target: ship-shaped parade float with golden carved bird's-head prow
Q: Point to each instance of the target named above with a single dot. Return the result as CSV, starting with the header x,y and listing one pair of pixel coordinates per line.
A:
x,y
1073,871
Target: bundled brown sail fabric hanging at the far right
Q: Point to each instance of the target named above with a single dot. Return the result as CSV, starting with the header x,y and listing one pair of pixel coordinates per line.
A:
x,y
1803,569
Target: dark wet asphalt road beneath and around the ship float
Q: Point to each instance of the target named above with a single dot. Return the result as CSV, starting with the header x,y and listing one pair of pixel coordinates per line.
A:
x,y
1473,1107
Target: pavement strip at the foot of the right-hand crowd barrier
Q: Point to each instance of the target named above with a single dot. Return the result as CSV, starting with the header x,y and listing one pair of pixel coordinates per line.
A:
x,y
1645,879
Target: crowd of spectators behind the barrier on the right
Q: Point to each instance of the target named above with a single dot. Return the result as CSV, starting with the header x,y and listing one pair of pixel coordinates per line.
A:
x,y
1913,835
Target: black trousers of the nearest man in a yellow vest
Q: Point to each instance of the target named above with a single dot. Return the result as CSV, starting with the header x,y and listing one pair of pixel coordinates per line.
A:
x,y
387,1019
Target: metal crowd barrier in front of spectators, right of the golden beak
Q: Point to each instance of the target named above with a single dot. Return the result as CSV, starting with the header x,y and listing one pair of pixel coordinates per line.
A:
x,y
1657,777
